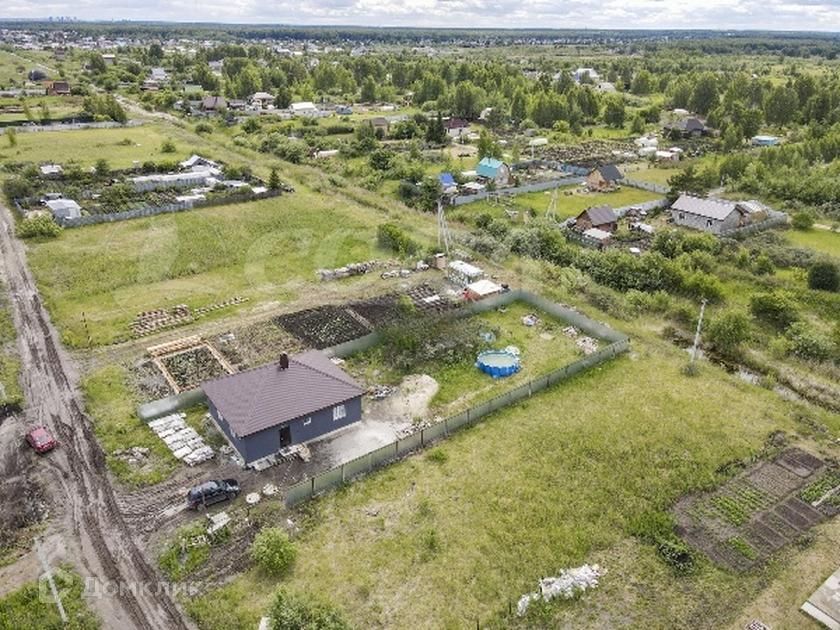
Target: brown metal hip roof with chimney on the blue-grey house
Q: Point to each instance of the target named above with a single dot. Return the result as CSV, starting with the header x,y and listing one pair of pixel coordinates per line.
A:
x,y
267,396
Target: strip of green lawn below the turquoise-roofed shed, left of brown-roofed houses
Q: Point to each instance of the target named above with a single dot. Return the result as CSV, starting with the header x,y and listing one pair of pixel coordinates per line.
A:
x,y
571,201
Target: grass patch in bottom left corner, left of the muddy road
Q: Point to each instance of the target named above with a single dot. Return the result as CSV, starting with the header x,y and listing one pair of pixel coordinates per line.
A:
x,y
28,608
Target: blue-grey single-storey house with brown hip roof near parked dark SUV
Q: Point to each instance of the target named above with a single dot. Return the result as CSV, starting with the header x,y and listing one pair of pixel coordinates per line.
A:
x,y
296,400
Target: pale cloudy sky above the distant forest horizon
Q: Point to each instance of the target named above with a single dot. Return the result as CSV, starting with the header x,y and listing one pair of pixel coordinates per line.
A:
x,y
808,15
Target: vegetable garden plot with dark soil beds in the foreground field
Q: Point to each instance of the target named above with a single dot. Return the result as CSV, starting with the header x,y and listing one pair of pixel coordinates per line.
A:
x,y
767,506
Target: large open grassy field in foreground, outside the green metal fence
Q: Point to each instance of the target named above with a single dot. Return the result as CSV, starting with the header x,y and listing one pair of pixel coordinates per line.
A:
x,y
550,483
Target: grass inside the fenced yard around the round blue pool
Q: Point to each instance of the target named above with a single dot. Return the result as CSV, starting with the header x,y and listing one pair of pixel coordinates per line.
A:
x,y
543,348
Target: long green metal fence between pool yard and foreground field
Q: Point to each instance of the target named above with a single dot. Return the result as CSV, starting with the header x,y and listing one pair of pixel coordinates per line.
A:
x,y
365,464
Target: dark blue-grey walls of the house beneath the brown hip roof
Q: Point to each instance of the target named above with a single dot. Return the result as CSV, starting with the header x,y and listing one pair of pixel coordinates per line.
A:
x,y
267,442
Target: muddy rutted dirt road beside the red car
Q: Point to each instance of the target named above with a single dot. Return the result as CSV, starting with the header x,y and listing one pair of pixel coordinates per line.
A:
x,y
87,527
